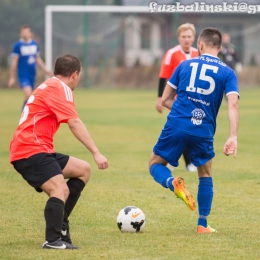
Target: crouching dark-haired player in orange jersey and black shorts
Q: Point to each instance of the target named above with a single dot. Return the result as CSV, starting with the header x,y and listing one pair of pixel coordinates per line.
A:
x,y
33,156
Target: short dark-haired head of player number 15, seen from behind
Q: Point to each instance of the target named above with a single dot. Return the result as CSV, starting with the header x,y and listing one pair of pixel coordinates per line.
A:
x,y
209,40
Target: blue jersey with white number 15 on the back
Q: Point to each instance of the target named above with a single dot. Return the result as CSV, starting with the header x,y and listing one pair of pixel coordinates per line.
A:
x,y
200,83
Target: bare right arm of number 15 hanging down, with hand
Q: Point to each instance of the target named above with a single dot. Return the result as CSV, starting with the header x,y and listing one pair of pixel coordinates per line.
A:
x,y
233,117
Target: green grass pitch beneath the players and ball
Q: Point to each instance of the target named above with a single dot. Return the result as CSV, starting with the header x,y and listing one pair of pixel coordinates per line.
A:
x,y
125,126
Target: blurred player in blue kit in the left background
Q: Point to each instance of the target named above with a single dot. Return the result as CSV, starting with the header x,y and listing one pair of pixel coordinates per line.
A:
x,y
25,57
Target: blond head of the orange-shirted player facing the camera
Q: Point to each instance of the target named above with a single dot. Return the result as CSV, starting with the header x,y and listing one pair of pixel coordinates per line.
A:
x,y
186,35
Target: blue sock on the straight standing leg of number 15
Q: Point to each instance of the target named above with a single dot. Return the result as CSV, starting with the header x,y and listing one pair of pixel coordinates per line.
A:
x,y
204,197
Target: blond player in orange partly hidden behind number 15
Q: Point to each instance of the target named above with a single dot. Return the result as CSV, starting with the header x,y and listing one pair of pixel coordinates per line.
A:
x,y
172,58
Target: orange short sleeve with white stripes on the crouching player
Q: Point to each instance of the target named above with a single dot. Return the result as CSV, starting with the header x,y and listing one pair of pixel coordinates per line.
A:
x,y
61,102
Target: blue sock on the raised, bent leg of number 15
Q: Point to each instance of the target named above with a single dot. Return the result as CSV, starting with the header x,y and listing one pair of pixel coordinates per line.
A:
x,y
162,175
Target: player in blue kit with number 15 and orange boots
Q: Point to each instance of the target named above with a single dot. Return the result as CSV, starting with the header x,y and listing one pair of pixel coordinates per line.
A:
x,y
199,84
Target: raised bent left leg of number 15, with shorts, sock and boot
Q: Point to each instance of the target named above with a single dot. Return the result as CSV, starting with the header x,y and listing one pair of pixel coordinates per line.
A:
x,y
168,149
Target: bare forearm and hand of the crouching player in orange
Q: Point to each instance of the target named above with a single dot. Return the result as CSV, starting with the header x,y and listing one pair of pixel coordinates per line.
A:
x,y
81,133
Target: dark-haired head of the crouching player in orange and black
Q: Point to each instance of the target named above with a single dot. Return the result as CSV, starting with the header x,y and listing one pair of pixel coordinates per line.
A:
x,y
68,67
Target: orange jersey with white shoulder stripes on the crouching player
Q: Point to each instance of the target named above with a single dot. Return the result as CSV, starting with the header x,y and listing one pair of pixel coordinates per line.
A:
x,y
49,105
